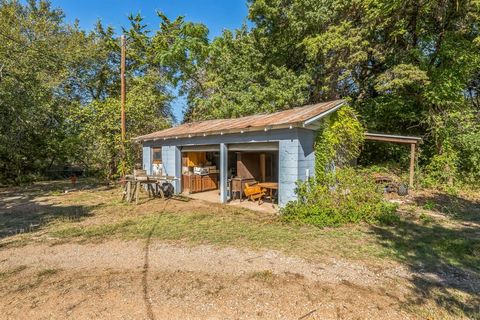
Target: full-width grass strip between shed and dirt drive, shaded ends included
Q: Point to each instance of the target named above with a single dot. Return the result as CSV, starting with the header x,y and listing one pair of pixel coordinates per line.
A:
x,y
98,213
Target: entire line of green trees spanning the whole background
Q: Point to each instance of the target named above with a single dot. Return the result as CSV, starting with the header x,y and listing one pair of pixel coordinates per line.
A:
x,y
407,67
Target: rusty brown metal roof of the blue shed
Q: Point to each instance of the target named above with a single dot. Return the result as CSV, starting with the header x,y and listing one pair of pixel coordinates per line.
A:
x,y
296,117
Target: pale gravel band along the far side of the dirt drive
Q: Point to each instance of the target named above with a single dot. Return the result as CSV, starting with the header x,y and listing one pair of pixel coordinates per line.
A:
x,y
129,256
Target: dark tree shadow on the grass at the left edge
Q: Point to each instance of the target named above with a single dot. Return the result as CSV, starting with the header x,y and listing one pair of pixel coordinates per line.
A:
x,y
23,209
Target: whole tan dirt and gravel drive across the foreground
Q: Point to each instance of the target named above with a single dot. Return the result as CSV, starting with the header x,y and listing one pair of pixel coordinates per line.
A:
x,y
118,280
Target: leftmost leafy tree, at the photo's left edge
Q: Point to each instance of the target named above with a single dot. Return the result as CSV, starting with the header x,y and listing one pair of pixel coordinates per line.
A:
x,y
33,41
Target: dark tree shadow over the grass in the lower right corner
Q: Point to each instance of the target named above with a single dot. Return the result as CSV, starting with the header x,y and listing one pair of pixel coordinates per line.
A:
x,y
445,262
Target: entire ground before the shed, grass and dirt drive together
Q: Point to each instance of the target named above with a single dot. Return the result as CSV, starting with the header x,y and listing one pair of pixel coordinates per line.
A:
x,y
186,258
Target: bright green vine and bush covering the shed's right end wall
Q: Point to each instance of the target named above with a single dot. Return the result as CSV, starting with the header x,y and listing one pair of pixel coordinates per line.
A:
x,y
338,194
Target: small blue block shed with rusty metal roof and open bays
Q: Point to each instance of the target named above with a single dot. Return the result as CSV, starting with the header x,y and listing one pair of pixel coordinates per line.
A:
x,y
207,155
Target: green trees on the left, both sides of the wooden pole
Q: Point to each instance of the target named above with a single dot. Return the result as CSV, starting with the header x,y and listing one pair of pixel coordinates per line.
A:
x,y
60,88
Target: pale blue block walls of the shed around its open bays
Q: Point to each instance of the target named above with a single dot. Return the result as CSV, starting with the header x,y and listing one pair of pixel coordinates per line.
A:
x,y
296,156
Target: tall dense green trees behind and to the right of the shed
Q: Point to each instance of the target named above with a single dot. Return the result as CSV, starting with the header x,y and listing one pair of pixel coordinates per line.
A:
x,y
409,68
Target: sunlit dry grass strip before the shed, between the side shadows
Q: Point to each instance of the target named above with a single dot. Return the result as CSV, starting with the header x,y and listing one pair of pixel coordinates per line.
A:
x,y
201,223
